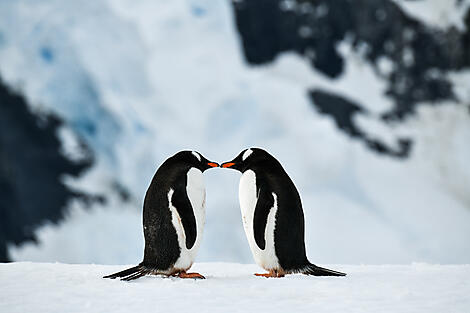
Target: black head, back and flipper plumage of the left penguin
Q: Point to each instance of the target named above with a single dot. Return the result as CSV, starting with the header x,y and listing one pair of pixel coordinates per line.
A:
x,y
161,241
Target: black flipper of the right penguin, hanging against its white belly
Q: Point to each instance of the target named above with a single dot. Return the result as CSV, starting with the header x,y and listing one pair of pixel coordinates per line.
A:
x,y
264,204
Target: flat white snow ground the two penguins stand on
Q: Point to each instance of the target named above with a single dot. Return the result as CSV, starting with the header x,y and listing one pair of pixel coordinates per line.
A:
x,y
231,287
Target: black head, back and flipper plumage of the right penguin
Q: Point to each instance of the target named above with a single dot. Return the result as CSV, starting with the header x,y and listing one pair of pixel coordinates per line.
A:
x,y
289,231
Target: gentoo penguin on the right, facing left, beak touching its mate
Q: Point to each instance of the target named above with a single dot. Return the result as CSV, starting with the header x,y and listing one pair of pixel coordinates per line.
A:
x,y
272,216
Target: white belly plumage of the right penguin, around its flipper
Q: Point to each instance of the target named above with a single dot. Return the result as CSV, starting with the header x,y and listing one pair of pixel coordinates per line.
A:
x,y
266,258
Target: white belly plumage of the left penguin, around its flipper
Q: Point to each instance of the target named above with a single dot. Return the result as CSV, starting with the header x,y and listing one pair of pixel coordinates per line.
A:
x,y
197,196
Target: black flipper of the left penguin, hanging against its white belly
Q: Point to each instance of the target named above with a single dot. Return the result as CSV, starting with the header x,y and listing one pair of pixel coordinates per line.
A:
x,y
182,204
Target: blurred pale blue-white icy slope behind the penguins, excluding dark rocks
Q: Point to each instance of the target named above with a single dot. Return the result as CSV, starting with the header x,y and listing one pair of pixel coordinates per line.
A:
x,y
139,81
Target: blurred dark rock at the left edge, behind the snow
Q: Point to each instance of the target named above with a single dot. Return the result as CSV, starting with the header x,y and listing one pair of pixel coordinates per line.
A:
x,y
31,171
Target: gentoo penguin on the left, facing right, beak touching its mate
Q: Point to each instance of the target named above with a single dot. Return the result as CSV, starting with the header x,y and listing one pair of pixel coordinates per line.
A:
x,y
173,218
